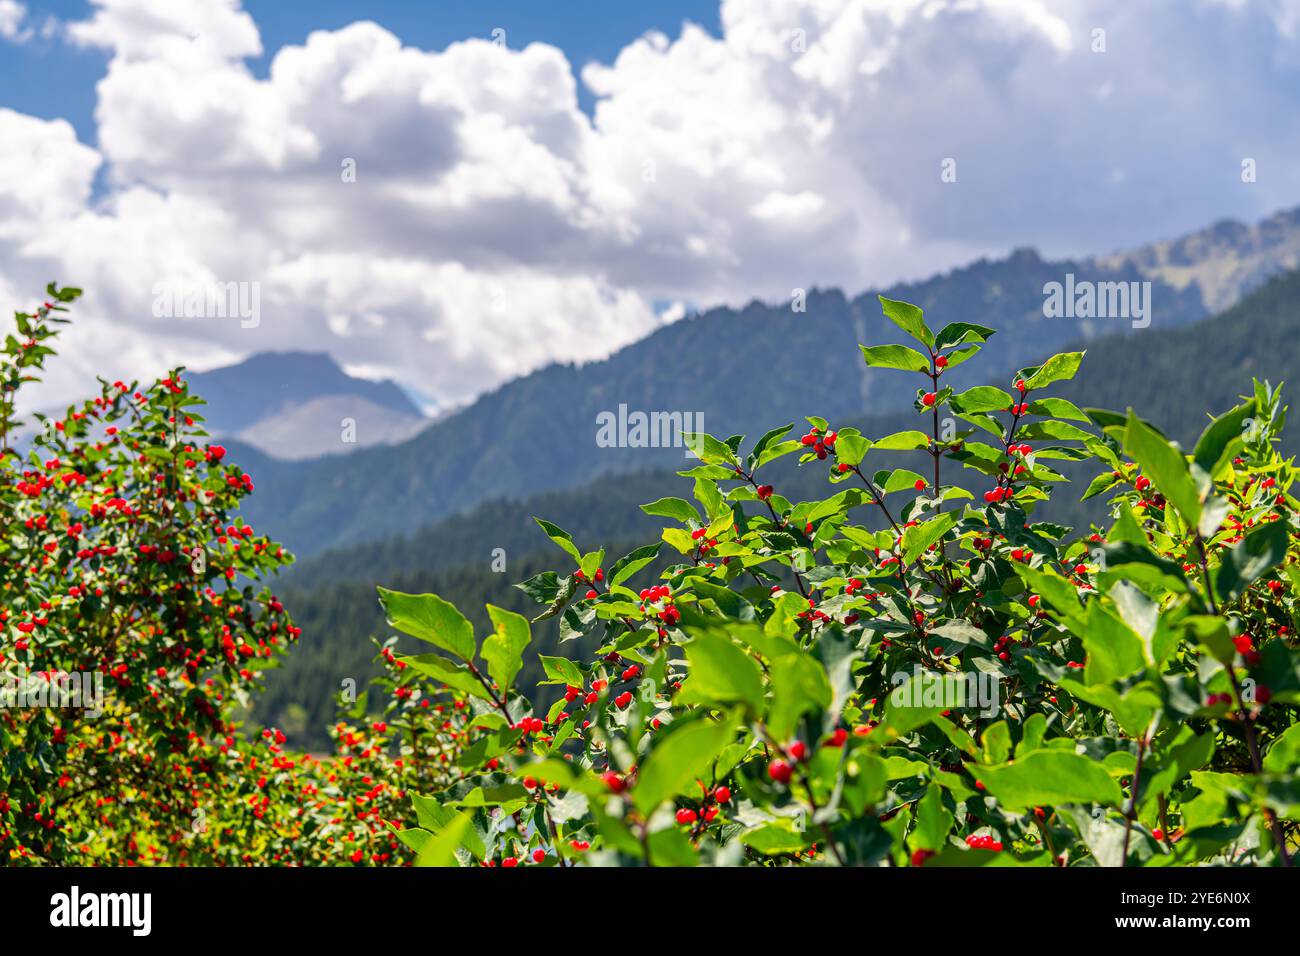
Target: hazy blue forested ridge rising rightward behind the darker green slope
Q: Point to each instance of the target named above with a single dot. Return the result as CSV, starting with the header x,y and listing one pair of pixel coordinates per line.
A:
x,y
538,432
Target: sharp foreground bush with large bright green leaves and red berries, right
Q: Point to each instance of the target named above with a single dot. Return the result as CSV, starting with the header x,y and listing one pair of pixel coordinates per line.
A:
x,y
785,694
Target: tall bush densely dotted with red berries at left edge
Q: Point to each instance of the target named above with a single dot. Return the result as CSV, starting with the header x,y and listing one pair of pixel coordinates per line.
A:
x,y
132,628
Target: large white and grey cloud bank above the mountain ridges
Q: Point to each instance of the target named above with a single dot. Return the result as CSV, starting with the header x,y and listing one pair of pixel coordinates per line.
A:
x,y
454,219
